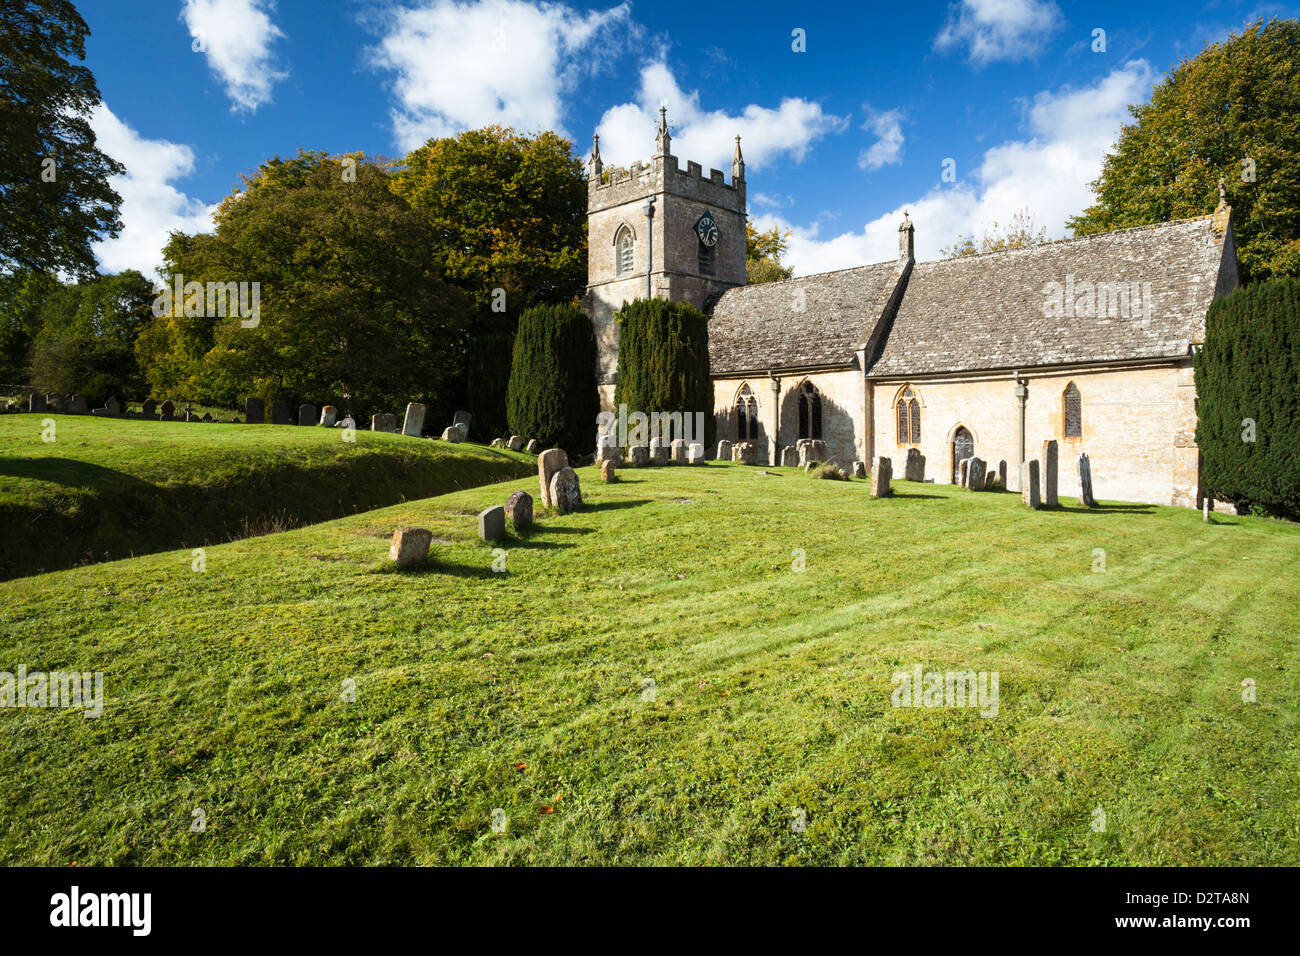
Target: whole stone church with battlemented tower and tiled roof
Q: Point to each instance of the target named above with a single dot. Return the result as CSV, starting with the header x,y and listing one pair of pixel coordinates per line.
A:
x,y
1086,341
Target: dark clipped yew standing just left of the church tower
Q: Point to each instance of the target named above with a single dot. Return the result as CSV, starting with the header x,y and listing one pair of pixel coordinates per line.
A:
x,y
552,393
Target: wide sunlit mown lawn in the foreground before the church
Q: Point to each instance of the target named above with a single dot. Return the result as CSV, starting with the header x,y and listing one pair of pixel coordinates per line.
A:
x,y
1120,689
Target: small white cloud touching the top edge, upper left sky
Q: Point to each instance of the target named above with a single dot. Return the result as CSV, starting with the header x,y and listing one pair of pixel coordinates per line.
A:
x,y
237,37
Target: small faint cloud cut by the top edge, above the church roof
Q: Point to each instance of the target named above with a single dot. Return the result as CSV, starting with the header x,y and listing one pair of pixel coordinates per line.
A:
x,y
999,29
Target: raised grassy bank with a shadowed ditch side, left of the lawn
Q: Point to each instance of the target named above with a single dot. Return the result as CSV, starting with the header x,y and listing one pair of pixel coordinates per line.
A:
x,y
114,488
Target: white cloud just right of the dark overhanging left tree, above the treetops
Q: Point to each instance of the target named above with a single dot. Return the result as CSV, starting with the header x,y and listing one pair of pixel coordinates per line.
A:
x,y
151,207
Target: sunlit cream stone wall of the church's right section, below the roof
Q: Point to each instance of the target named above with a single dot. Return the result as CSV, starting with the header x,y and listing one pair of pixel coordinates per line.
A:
x,y
1138,429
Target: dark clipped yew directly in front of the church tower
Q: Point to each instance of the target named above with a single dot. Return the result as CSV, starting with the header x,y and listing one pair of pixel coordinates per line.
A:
x,y
664,361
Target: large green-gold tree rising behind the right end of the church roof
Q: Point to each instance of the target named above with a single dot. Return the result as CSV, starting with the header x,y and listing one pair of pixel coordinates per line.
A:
x,y
1233,113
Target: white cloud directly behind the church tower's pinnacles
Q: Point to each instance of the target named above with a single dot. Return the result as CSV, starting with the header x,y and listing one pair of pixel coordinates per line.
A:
x,y
708,137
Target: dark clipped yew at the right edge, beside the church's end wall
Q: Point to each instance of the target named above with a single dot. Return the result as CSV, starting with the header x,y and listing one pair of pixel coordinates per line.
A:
x,y
1249,399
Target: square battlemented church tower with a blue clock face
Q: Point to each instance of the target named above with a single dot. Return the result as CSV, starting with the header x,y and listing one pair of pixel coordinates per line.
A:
x,y
658,231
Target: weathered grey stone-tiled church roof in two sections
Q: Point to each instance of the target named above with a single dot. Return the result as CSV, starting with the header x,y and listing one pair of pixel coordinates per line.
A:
x,y
980,313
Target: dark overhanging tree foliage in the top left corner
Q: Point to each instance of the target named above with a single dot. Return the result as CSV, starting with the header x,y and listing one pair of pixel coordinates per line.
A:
x,y
55,193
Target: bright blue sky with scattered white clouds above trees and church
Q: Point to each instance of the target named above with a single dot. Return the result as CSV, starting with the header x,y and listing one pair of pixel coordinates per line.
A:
x,y
838,139
